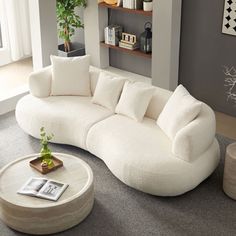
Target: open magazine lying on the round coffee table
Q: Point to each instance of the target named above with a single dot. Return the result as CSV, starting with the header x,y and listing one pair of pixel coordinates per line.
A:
x,y
43,188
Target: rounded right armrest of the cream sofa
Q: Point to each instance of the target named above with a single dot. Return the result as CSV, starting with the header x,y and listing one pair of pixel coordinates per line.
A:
x,y
195,138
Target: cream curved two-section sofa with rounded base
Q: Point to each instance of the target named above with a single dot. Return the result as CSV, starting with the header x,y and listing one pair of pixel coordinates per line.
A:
x,y
138,153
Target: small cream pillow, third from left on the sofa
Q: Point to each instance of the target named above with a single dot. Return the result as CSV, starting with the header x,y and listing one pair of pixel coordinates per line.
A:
x,y
134,100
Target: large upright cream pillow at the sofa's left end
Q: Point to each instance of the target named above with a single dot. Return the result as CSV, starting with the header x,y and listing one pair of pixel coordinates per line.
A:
x,y
70,76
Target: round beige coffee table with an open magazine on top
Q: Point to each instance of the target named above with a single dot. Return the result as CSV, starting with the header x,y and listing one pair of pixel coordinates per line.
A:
x,y
39,216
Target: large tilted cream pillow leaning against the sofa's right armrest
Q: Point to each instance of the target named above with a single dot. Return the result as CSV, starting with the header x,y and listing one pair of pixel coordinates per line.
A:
x,y
179,111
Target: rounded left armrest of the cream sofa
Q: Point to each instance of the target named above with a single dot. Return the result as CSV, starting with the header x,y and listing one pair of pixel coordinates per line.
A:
x,y
40,82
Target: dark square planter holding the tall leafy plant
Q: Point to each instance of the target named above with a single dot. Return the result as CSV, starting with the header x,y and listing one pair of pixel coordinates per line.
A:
x,y
77,49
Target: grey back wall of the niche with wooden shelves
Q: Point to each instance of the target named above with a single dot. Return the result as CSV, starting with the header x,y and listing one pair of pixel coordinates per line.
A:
x,y
134,25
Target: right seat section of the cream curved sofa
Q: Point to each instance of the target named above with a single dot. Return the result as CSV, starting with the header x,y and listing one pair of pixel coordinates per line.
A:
x,y
139,154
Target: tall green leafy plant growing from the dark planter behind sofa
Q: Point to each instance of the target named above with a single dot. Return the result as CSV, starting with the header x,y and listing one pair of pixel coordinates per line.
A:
x,y
68,20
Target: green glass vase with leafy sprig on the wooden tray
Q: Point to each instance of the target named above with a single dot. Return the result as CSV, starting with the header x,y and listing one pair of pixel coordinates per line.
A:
x,y
45,152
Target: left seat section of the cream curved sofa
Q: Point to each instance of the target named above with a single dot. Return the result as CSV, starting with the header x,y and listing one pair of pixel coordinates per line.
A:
x,y
68,117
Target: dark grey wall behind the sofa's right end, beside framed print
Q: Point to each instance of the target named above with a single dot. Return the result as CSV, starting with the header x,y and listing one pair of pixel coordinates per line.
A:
x,y
204,51
